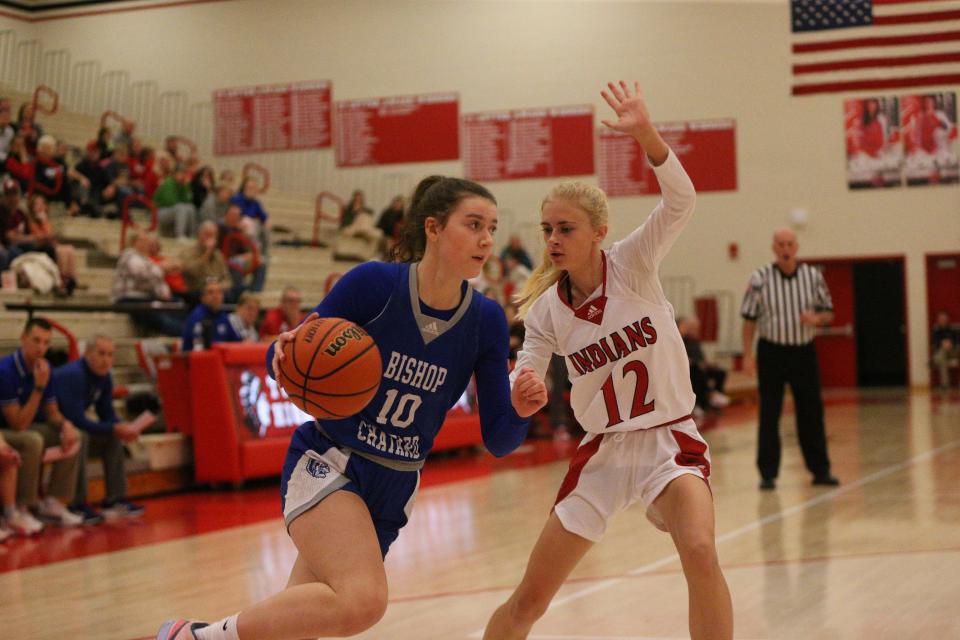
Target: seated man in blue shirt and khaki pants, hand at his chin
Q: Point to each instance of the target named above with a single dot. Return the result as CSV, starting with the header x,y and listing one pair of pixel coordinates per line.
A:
x,y
25,389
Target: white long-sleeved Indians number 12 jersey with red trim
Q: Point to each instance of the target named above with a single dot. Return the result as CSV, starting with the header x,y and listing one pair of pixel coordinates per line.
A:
x,y
624,354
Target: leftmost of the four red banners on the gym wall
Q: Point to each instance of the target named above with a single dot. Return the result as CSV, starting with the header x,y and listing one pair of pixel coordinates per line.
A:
x,y
280,117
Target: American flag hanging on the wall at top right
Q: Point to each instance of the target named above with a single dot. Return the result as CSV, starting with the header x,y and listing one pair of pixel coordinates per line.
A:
x,y
867,45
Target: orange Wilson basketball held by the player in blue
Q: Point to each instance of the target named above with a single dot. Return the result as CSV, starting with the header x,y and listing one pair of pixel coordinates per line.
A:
x,y
331,369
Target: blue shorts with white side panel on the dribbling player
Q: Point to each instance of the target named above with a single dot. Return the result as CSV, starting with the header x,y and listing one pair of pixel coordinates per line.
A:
x,y
315,467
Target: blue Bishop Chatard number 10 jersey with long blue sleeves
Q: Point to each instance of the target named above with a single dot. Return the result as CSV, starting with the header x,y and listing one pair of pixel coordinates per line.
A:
x,y
428,359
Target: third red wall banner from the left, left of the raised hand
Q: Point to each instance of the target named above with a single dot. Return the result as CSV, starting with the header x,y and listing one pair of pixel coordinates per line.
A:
x,y
528,143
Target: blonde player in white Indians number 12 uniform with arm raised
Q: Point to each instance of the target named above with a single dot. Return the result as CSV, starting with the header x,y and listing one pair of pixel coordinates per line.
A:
x,y
605,312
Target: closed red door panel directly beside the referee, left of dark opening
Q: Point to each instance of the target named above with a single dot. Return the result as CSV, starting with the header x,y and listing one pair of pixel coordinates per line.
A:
x,y
837,350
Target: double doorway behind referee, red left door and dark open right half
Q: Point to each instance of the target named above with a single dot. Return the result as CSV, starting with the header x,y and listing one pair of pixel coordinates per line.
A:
x,y
866,343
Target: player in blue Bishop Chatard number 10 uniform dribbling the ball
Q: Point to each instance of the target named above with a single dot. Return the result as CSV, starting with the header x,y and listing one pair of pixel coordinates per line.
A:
x,y
348,485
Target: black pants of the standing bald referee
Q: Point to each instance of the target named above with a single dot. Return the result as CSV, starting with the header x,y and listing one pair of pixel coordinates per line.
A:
x,y
778,365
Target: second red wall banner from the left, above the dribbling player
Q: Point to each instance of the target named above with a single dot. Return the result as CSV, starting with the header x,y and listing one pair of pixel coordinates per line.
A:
x,y
421,128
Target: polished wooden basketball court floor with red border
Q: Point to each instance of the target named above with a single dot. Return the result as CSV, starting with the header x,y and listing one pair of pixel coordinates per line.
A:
x,y
877,557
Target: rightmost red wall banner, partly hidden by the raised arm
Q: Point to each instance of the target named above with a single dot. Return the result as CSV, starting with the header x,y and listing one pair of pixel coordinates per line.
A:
x,y
706,148
